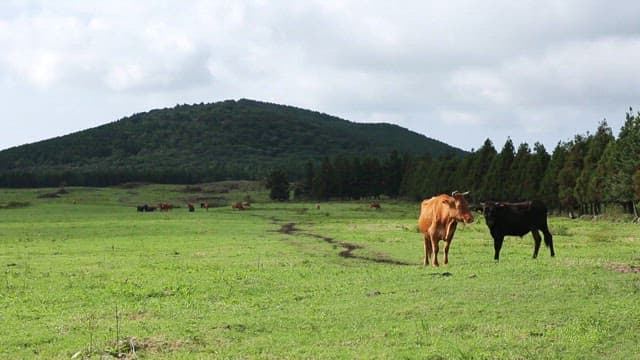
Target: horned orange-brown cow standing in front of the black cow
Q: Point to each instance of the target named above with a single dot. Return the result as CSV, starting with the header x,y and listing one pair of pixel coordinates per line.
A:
x,y
438,219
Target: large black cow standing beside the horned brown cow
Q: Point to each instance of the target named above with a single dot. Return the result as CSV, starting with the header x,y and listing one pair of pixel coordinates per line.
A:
x,y
517,219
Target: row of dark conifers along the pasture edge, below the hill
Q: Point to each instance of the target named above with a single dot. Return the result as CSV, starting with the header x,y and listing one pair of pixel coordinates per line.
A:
x,y
582,175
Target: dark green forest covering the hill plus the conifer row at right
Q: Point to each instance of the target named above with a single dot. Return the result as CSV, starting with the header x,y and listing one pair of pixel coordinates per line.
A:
x,y
323,157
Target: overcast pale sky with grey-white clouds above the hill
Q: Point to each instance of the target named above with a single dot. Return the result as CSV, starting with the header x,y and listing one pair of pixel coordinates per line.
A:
x,y
456,71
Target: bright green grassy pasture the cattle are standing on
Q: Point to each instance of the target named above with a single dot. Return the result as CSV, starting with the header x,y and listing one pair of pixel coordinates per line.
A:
x,y
86,276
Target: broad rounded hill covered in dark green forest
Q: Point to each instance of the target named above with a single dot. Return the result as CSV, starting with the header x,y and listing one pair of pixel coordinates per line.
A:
x,y
242,139
